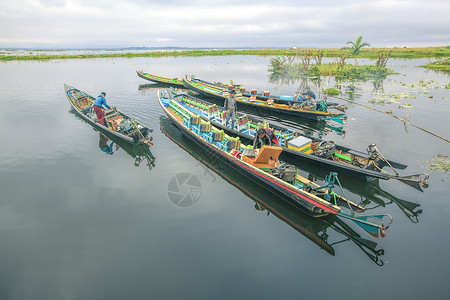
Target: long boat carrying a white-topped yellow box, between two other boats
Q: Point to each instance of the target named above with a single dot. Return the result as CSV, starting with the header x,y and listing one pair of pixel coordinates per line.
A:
x,y
327,154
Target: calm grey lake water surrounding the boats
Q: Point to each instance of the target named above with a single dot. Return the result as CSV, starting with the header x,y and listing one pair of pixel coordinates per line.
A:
x,y
76,223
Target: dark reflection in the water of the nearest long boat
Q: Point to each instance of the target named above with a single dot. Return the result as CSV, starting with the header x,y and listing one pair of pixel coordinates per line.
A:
x,y
326,232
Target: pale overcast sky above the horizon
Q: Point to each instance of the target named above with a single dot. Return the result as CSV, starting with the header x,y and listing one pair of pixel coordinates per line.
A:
x,y
231,23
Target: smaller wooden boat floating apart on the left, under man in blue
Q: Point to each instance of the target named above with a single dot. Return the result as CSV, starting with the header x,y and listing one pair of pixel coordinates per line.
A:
x,y
119,124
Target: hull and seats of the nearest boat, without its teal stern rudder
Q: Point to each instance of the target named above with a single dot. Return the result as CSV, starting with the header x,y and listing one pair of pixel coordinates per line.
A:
x,y
259,169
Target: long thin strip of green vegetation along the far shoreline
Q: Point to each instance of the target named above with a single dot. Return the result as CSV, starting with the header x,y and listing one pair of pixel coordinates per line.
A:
x,y
371,53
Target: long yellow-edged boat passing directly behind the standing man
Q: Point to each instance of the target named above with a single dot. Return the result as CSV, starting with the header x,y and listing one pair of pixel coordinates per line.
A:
x,y
212,90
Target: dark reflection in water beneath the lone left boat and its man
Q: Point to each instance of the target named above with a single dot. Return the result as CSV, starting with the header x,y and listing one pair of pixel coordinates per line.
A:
x,y
139,152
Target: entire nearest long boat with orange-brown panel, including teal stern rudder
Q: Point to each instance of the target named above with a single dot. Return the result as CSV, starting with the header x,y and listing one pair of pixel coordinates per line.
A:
x,y
265,169
